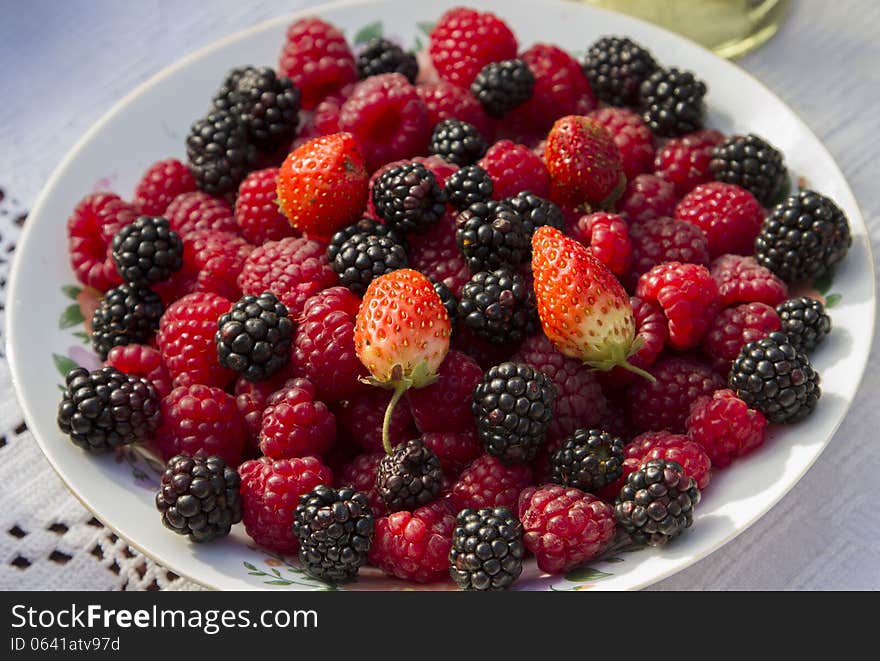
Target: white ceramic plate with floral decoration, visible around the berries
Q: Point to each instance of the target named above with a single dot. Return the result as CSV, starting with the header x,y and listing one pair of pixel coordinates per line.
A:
x,y
151,124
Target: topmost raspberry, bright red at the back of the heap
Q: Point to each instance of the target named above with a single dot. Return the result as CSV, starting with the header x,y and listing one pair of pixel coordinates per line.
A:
x,y
464,41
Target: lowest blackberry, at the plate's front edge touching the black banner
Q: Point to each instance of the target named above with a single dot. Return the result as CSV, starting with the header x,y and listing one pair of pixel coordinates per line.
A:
x,y
487,549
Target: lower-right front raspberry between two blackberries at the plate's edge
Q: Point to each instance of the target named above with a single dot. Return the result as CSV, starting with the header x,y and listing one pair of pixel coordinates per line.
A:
x,y
564,527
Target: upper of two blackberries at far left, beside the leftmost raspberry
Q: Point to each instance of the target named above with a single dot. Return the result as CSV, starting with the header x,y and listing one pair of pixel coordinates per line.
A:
x,y
147,251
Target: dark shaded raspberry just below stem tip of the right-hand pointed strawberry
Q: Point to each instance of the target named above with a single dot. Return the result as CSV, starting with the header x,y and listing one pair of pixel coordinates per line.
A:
x,y
666,403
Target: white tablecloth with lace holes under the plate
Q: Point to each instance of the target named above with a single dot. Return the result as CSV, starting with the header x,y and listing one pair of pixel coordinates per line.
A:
x,y
64,64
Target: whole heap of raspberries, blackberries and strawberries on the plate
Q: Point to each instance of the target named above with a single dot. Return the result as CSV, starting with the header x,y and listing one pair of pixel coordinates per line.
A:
x,y
437,319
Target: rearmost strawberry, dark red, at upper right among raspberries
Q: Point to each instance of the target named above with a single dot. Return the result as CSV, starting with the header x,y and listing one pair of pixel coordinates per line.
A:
x,y
585,164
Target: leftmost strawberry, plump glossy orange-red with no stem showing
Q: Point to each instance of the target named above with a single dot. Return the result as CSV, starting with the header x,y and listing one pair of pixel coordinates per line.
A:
x,y
322,185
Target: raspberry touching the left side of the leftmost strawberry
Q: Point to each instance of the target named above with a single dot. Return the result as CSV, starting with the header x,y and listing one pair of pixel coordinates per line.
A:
x,y
256,209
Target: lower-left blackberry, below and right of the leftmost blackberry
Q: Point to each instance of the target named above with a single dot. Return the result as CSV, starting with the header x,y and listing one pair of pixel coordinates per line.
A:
x,y
199,497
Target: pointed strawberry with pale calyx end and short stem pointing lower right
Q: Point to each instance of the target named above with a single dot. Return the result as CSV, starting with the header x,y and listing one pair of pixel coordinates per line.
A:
x,y
584,310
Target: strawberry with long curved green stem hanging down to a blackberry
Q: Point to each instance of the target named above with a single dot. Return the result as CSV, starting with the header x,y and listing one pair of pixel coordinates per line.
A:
x,y
401,335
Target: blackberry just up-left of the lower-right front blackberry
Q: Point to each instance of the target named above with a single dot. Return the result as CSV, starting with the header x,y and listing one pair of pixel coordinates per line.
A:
x,y
588,460
